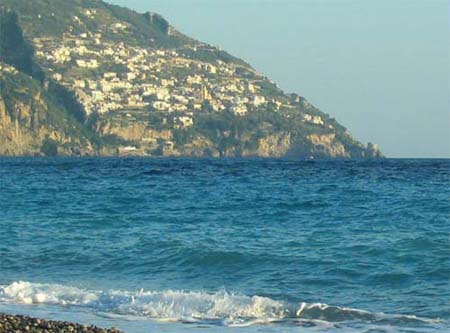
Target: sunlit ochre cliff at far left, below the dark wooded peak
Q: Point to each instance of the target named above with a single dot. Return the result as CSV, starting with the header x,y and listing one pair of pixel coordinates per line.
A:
x,y
29,119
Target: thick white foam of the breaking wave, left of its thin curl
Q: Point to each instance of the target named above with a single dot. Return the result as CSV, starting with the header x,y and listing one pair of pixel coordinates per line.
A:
x,y
167,305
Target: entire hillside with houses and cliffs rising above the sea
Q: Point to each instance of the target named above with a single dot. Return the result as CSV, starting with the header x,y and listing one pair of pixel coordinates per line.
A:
x,y
105,80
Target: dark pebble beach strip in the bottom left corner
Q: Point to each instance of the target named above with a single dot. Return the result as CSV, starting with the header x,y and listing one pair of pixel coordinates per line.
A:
x,y
22,324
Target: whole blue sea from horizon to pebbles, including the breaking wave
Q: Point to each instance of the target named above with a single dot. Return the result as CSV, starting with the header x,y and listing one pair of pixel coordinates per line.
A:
x,y
186,245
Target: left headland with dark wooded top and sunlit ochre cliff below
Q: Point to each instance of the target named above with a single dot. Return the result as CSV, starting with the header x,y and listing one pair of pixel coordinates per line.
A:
x,y
30,118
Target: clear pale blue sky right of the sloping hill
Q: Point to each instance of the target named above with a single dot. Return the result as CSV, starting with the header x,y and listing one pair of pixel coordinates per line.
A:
x,y
381,68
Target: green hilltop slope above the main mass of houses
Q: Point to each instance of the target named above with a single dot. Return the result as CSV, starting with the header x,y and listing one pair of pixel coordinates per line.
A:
x,y
53,17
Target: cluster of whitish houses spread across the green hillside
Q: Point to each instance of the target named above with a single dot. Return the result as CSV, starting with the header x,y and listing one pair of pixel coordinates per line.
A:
x,y
107,76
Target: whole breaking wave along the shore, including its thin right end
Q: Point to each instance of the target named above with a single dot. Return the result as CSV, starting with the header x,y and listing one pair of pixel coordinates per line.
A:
x,y
188,306
